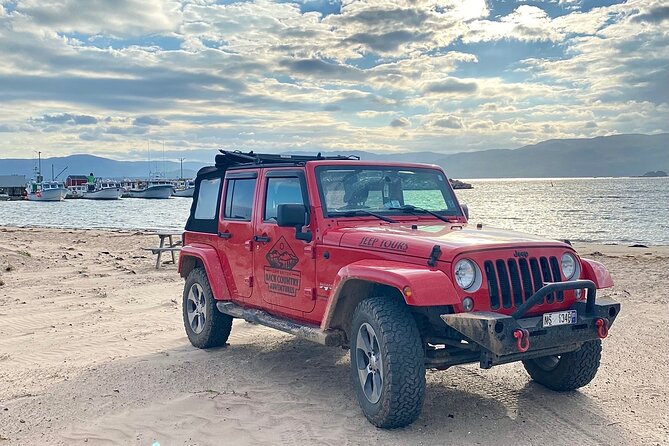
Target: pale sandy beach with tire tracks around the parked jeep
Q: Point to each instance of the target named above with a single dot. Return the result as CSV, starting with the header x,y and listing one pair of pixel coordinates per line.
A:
x,y
93,351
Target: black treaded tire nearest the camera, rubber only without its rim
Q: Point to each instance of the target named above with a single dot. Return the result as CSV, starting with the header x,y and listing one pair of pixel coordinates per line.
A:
x,y
402,356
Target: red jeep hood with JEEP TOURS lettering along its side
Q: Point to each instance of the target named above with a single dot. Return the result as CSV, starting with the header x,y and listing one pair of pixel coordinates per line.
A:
x,y
453,239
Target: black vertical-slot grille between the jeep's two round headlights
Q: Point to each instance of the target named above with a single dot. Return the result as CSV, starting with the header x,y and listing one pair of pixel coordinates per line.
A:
x,y
512,281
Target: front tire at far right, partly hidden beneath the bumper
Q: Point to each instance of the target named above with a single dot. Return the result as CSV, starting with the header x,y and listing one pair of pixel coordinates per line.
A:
x,y
573,370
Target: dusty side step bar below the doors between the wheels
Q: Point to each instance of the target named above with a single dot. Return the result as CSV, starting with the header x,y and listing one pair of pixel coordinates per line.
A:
x,y
329,338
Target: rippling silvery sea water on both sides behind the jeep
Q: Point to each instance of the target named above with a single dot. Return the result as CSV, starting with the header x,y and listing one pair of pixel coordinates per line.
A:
x,y
604,210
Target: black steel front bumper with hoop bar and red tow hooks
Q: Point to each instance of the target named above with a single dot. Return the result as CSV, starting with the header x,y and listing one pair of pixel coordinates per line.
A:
x,y
494,332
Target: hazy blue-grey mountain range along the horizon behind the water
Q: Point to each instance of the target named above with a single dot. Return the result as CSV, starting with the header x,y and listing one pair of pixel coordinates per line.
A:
x,y
618,155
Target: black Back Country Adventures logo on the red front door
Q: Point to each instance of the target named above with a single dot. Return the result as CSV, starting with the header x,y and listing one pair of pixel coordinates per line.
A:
x,y
279,274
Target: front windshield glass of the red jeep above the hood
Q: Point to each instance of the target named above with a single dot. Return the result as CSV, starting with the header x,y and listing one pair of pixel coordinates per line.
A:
x,y
383,190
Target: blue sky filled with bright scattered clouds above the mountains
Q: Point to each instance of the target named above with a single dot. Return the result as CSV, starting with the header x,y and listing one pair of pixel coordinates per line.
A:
x,y
115,78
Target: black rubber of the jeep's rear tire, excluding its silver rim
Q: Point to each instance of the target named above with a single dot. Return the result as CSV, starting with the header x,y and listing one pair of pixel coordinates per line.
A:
x,y
217,325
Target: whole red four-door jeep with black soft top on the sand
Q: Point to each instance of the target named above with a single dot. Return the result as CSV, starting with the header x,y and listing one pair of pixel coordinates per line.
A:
x,y
379,258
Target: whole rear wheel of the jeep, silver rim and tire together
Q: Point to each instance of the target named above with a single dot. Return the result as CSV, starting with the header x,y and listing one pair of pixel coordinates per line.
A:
x,y
206,327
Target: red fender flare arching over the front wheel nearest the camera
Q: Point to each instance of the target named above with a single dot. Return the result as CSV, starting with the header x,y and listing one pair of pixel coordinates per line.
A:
x,y
429,287
